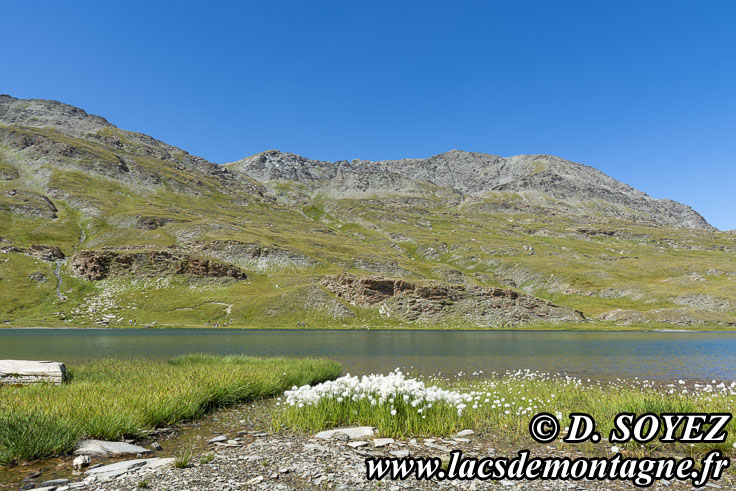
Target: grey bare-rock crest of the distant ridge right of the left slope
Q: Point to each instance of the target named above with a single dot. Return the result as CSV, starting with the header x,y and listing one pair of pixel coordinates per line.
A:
x,y
540,179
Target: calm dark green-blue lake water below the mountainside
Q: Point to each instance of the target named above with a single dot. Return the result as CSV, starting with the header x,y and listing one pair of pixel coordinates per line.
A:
x,y
653,355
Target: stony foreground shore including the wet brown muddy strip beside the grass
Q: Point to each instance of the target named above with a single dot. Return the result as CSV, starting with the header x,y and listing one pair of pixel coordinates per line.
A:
x,y
259,457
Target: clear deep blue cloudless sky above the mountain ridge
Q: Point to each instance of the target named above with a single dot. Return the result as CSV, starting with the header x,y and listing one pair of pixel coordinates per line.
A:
x,y
644,91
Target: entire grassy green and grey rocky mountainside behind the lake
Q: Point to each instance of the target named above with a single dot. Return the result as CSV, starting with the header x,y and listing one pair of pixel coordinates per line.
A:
x,y
102,226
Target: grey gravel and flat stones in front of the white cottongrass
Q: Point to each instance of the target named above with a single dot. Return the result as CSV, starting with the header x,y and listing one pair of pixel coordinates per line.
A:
x,y
263,461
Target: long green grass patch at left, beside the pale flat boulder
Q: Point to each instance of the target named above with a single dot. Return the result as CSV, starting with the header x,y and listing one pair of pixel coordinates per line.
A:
x,y
114,399
